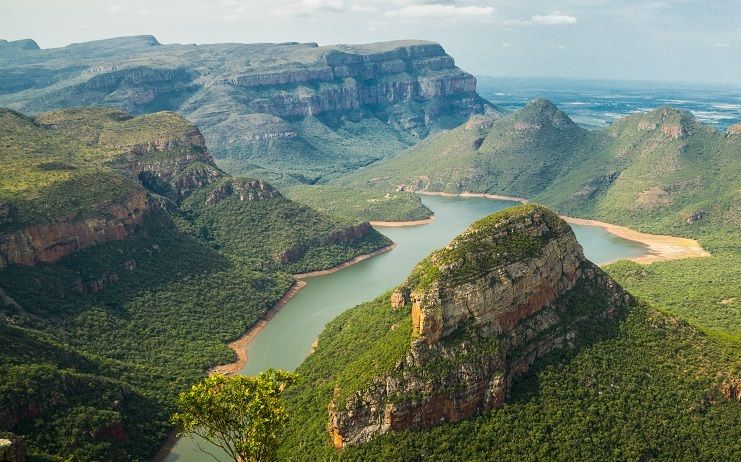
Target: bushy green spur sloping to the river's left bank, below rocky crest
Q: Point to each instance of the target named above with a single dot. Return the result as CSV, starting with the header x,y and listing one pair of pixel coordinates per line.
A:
x,y
275,232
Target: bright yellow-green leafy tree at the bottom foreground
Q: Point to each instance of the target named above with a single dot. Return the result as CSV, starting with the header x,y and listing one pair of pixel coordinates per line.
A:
x,y
241,415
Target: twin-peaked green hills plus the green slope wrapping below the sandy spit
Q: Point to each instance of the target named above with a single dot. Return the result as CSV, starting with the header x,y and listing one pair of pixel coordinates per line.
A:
x,y
659,172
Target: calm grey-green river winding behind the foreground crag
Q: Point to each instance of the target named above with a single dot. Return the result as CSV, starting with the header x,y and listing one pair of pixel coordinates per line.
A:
x,y
286,340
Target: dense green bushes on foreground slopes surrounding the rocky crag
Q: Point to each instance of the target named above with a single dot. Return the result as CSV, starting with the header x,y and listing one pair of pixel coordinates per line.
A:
x,y
629,391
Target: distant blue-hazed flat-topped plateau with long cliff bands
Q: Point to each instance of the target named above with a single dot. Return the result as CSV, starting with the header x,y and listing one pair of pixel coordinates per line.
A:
x,y
288,112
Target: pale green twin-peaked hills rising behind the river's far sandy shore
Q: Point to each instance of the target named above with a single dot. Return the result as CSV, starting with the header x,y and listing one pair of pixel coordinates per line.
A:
x,y
661,169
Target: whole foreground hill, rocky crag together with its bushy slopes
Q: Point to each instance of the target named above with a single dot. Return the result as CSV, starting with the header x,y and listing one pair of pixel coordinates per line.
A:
x,y
508,344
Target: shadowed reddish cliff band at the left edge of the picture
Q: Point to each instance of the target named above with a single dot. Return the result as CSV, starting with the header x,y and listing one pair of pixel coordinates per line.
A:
x,y
49,242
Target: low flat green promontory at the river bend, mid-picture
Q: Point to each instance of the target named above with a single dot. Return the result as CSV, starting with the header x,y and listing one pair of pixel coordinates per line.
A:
x,y
361,204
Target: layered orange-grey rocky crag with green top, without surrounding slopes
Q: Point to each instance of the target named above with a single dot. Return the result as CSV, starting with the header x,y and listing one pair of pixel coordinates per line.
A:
x,y
512,288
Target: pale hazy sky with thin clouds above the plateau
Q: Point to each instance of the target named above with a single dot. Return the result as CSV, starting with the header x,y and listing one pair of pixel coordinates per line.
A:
x,y
682,40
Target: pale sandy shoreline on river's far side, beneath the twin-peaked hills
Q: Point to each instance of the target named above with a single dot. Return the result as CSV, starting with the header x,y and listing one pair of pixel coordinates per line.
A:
x,y
660,247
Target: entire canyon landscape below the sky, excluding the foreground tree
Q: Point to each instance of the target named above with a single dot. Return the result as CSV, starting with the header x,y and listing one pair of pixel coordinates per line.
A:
x,y
451,280
